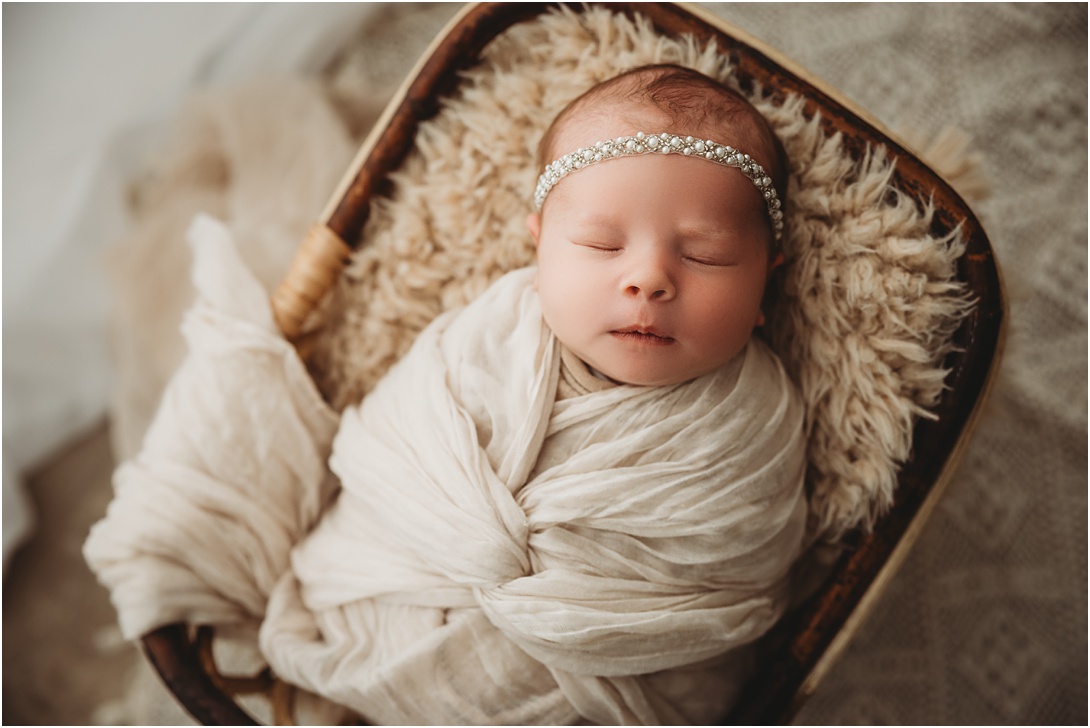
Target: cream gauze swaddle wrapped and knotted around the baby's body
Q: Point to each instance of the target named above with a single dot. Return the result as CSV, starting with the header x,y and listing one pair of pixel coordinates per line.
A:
x,y
608,537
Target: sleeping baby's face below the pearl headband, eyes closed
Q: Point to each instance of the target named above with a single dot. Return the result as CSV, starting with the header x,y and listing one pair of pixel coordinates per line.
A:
x,y
652,269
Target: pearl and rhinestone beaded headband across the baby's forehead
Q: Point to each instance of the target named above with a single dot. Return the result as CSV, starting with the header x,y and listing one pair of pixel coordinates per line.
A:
x,y
628,147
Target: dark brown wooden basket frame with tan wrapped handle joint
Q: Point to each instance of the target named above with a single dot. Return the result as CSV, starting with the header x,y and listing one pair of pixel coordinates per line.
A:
x,y
805,645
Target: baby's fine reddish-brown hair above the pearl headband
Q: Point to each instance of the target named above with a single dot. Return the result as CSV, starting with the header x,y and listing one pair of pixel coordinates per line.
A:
x,y
694,104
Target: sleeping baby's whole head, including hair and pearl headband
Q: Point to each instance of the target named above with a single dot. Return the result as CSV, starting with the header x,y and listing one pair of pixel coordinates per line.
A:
x,y
652,266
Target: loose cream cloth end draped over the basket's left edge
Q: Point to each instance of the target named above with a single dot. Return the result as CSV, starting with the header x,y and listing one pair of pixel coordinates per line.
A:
x,y
233,471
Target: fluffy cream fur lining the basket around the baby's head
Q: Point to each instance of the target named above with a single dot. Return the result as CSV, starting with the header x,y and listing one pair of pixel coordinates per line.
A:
x,y
865,310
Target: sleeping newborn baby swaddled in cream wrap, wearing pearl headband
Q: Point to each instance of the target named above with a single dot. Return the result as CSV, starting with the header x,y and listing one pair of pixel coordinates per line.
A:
x,y
578,499
